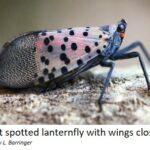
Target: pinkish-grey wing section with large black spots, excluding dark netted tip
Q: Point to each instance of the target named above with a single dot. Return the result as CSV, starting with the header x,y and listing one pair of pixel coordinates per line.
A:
x,y
61,51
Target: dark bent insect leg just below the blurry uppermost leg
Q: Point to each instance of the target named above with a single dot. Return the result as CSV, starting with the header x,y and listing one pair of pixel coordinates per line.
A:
x,y
133,55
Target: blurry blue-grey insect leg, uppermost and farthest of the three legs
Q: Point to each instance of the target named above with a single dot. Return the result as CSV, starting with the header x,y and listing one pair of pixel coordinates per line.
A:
x,y
133,46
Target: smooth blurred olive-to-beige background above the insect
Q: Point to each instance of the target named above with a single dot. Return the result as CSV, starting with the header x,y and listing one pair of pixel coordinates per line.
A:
x,y
19,16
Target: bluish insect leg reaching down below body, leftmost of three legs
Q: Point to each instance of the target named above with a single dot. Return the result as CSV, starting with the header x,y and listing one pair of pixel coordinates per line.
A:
x,y
111,65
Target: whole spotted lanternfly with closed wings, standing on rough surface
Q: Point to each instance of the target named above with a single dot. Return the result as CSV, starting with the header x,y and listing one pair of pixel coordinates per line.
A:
x,y
41,57
